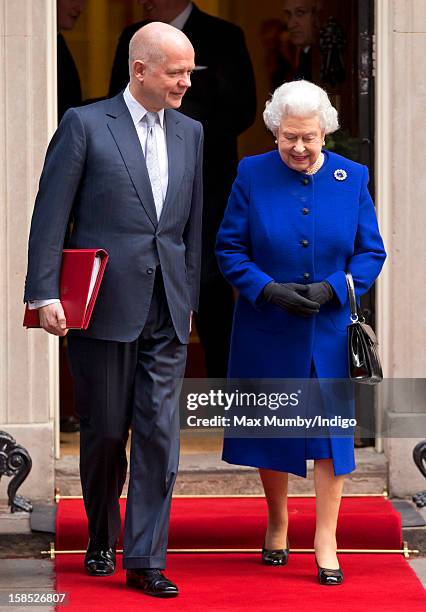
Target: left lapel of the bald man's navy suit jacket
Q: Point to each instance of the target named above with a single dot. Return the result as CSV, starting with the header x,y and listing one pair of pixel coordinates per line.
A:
x,y
124,133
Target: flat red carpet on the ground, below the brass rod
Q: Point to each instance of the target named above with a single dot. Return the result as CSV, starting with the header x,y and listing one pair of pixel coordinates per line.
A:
x,y
240,582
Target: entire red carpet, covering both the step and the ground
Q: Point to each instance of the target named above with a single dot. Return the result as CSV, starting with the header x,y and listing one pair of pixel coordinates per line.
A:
x,y
239,582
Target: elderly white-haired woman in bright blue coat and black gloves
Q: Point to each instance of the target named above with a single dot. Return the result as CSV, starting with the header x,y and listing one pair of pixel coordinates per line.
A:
x,y
298,218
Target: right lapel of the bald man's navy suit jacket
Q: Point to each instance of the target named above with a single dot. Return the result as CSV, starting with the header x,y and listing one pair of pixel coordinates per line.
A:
x,y
176,157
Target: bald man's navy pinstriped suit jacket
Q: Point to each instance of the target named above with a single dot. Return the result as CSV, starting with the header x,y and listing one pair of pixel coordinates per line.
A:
x,y
95,171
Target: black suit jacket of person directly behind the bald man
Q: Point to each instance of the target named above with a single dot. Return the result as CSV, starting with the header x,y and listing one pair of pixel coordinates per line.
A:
x,y
222,97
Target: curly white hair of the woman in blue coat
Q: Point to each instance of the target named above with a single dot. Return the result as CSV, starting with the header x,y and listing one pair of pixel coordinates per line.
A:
x,y
300,99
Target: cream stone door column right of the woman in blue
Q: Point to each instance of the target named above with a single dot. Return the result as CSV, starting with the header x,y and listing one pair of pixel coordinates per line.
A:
x,y
401,197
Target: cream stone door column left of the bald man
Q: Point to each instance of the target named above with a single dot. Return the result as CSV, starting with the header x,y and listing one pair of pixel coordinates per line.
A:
x,y
28,360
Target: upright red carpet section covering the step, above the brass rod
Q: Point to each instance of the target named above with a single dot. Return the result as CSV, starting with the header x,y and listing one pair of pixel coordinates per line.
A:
x,y
364,522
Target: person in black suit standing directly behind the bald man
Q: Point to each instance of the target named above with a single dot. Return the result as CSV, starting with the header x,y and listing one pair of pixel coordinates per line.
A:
x,y
223,99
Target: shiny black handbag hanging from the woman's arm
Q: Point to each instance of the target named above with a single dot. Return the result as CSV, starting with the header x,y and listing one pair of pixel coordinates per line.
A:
x,y
363,355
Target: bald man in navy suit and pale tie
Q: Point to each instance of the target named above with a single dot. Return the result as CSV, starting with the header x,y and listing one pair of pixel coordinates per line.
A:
x,y
129,171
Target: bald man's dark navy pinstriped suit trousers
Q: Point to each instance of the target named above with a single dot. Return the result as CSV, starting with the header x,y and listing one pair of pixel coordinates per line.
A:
x,y
137,384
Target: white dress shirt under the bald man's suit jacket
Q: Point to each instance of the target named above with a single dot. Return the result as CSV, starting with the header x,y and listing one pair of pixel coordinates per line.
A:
x,y
137,112
